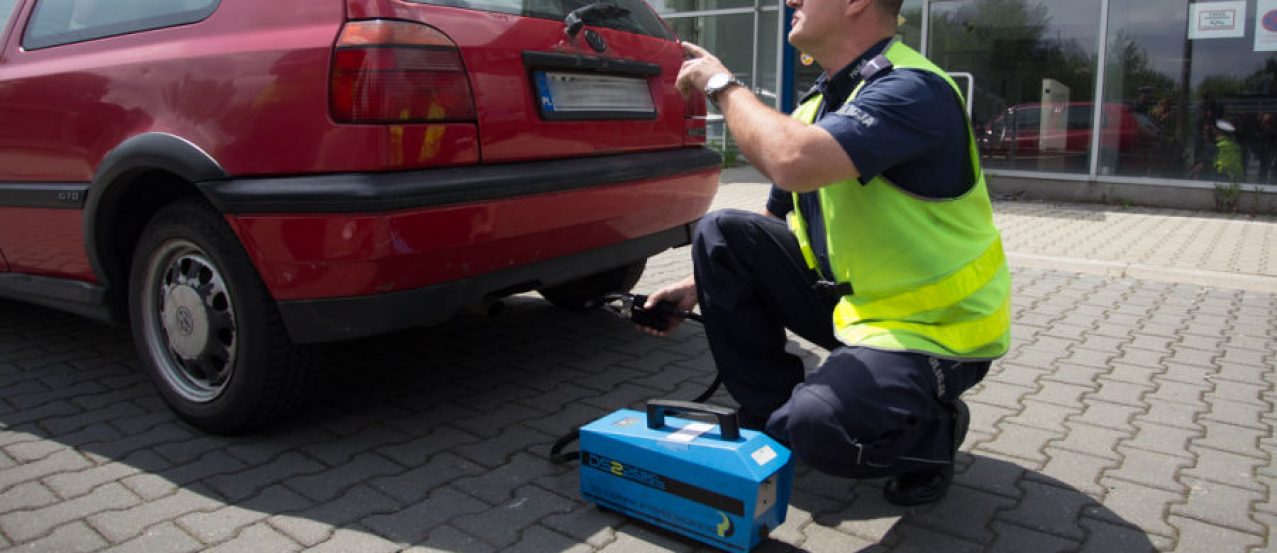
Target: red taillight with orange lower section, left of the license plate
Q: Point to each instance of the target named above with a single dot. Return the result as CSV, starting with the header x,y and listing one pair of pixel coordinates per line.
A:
x,y
398,72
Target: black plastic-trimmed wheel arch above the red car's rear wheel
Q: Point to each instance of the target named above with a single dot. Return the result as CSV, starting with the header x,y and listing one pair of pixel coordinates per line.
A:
x,y
132,183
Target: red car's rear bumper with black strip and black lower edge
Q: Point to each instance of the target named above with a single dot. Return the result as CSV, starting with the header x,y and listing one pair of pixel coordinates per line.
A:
x,y
359,255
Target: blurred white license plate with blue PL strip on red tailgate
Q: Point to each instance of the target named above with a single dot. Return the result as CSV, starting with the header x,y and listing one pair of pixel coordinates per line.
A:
x,y
593,96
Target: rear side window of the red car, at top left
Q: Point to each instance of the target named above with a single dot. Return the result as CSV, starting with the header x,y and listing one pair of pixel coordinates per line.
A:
x,y
59,22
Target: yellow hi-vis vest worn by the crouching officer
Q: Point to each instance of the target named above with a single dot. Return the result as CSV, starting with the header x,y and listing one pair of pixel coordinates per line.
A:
x,y
926,275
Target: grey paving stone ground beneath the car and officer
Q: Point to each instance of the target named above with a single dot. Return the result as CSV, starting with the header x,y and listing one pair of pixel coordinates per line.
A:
x,y
1135,413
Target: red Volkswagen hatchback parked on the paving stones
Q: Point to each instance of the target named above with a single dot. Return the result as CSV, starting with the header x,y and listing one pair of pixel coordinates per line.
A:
x,y
237,178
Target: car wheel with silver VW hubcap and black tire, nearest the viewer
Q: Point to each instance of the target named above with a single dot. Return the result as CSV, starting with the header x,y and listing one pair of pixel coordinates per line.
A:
x,y
205,326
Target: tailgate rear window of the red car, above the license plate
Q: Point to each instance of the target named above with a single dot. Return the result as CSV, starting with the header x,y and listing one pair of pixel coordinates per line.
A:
x,y
639,20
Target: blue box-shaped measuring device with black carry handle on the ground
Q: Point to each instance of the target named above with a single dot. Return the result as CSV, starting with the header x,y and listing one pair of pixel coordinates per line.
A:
x,y
716,483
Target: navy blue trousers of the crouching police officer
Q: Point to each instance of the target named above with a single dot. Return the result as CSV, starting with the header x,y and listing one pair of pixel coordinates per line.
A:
x,y
863,413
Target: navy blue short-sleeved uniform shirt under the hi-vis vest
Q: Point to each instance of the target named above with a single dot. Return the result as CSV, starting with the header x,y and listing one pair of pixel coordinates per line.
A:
x,y
907,126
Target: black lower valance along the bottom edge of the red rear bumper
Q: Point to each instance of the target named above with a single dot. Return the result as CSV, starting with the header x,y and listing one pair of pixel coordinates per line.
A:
x,y
340,319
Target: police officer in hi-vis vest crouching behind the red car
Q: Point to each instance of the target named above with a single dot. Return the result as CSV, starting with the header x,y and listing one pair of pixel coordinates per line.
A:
x,y
877,243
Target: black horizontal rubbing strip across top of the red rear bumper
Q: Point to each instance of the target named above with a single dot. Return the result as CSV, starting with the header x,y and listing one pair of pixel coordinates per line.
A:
x,y
372,192
